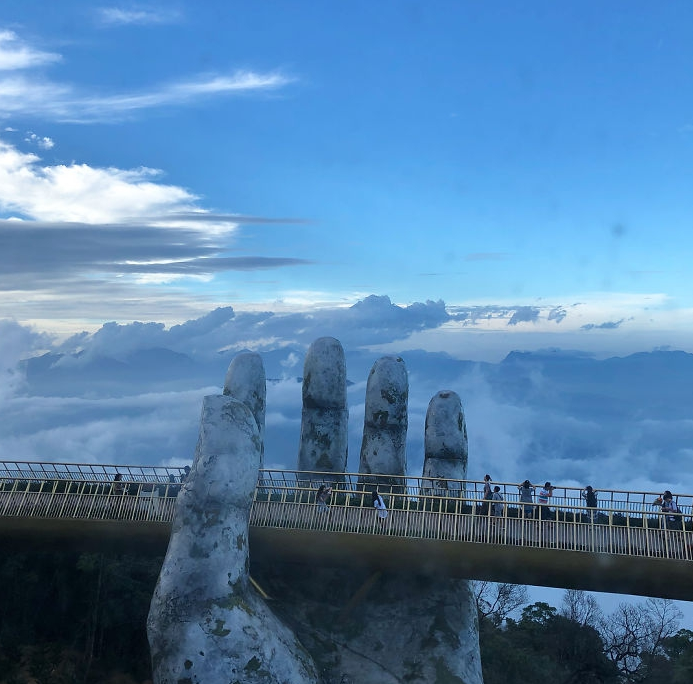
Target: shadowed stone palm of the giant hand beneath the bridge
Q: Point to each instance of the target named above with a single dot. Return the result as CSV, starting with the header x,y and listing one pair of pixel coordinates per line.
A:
x,y
365,627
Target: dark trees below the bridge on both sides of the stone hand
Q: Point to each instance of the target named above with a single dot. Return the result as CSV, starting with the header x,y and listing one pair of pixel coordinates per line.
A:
x,y
68,618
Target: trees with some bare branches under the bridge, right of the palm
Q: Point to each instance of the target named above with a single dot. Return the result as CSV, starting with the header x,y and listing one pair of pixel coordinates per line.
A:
x,y
639,643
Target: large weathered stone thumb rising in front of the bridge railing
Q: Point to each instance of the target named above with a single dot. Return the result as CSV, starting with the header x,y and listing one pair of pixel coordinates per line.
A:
x,y
206,624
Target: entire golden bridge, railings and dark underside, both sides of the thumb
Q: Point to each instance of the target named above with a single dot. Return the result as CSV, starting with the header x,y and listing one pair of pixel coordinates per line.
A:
x,y
435,527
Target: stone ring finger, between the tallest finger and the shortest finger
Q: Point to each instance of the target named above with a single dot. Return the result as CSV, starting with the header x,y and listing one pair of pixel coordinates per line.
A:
x,y
383,448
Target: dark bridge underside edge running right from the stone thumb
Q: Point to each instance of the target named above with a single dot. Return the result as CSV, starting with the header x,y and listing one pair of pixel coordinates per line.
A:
x,y
656,577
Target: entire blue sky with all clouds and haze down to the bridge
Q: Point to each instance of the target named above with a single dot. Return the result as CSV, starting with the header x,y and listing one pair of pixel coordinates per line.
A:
x,y
449,181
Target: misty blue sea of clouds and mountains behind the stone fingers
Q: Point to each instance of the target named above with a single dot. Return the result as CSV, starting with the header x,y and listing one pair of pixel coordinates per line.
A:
x,y
131,394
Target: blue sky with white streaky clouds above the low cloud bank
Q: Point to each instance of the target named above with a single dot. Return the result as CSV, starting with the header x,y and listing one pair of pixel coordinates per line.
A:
x,y
168,158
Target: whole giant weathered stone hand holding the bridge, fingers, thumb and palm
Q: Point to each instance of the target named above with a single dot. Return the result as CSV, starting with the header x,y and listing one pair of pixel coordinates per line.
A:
x,y
207,625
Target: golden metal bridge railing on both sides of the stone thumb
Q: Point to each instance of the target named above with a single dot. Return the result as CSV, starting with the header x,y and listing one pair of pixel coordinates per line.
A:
x,y
625,523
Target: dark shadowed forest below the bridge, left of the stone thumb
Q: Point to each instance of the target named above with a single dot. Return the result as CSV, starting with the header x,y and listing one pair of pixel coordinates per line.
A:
x,y
70,617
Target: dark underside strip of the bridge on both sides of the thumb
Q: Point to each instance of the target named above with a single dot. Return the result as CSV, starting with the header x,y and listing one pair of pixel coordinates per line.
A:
x,y
561,568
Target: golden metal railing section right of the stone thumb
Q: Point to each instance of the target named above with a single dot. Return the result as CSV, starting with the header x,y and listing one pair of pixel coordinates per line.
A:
x,y
625,523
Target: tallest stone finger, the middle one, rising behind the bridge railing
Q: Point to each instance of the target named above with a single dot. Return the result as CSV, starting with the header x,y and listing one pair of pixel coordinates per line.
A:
x,y
324,418
